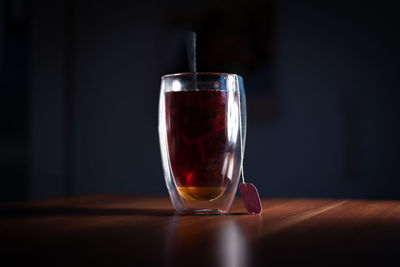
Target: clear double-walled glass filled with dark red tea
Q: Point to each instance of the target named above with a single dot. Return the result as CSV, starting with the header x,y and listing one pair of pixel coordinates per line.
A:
x,y
202,131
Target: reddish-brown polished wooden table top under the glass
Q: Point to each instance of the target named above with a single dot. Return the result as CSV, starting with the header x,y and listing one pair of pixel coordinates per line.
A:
x,y
121,230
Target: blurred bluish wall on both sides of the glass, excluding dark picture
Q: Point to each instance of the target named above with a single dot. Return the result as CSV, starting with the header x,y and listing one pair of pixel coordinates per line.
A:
x,y
93,94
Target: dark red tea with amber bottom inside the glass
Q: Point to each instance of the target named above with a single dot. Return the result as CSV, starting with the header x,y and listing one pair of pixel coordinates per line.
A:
x,y
198,145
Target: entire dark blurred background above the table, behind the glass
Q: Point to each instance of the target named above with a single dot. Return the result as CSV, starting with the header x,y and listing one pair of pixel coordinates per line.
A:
x,y
80,82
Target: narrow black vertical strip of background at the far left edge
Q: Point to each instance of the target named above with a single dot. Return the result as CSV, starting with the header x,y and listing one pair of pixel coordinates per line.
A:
x,y
14,92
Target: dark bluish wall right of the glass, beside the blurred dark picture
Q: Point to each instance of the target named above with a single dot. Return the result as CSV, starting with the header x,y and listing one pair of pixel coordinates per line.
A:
x,y
337,130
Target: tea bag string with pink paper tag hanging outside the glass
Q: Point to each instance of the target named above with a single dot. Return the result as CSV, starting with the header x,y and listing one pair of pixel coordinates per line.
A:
x,y
250,196
